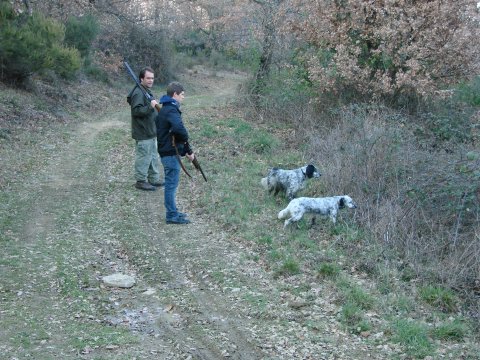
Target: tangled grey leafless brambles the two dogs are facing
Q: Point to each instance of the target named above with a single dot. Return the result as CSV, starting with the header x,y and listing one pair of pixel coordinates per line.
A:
x,y
424,205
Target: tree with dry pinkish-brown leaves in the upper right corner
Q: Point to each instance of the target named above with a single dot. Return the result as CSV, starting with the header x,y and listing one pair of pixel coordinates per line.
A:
x,y
389,47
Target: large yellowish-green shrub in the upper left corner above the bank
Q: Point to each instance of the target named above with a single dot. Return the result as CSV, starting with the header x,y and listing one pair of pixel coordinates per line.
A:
x,y
32,44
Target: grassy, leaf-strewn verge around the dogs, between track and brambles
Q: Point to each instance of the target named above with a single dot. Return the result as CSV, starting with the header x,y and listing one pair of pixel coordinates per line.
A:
x,y
367,278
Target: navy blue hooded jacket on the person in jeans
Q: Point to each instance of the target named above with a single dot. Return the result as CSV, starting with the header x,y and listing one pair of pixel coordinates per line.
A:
x,y
169,123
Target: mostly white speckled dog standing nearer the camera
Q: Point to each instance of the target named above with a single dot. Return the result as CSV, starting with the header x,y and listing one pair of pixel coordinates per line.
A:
x,y
327,206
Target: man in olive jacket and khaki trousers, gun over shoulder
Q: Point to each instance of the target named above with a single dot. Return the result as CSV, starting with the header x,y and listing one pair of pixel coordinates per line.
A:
x,y
144,132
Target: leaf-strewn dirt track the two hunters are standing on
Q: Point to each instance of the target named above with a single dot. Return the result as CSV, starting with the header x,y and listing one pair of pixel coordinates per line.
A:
x,y
76,217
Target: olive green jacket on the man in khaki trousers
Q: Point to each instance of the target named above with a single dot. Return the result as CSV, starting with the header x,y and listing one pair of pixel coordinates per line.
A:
x,y
143,115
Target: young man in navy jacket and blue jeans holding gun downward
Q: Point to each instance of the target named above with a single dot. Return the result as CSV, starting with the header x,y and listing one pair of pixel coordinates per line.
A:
x,y
169,126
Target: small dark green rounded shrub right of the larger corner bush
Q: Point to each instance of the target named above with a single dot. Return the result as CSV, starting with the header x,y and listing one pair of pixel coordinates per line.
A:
x,y
80,32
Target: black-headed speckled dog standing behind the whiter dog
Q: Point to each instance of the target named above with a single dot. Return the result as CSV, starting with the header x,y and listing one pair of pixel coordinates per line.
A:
x,y
289,181
